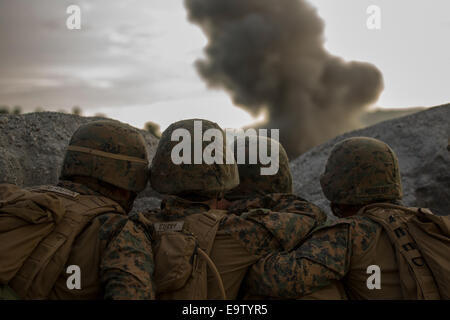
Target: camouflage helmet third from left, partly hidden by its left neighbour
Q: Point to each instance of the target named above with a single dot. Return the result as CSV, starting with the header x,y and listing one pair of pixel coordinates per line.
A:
x,y
252,182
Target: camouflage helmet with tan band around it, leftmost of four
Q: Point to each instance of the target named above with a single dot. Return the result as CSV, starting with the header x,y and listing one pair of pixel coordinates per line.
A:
x,y
109,151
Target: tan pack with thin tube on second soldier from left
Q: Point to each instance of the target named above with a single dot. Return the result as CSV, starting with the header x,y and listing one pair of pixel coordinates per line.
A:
x,y
181,250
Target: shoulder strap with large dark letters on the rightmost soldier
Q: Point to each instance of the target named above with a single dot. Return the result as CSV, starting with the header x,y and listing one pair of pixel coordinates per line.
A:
x,y
394,224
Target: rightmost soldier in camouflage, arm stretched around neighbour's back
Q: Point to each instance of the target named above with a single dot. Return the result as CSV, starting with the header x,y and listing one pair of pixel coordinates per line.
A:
x,y
359,172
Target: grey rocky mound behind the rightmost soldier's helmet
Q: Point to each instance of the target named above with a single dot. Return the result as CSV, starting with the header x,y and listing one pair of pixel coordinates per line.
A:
x,y
420,141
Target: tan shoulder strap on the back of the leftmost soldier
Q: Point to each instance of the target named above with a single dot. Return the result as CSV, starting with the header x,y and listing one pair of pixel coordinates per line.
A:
x,y
41,269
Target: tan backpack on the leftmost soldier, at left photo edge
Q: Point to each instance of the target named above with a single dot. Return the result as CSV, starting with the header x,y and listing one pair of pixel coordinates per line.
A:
x,y
38,227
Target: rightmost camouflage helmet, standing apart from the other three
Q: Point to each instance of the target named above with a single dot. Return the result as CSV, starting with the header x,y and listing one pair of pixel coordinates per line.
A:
x,y
361,170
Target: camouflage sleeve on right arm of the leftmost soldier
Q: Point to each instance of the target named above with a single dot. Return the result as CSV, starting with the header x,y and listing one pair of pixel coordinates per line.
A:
x,y
127,266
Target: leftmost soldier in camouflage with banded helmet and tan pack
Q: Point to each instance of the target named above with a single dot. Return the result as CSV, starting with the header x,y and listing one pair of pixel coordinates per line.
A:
x,y
104,168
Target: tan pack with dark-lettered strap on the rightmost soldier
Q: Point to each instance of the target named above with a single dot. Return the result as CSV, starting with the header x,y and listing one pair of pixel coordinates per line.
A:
x,y
422,244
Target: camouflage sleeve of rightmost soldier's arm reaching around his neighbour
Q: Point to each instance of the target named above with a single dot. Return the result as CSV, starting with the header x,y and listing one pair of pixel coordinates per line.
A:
x,y
322,258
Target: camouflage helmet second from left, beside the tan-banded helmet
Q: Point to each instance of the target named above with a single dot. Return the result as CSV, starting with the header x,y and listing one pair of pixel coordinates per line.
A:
x,y
203,179
